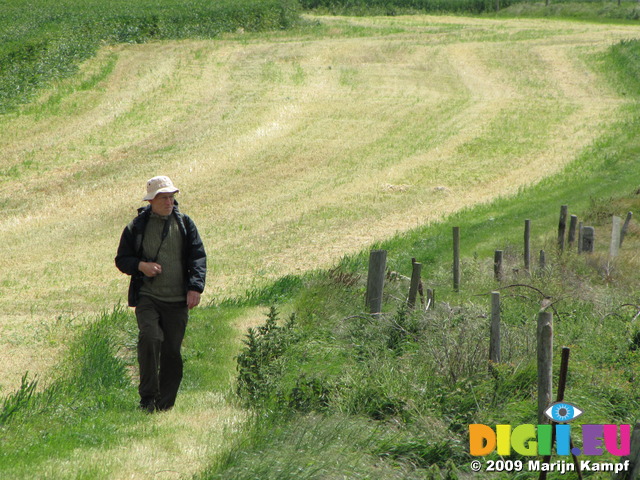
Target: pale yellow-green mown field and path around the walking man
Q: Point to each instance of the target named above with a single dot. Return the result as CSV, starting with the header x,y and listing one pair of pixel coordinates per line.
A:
x,y
292,150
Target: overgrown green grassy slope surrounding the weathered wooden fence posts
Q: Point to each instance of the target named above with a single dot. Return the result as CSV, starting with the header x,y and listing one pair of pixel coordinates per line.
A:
x,y
402,412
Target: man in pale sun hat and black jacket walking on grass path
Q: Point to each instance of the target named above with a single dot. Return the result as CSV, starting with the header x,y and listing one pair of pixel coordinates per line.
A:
x,y
162,251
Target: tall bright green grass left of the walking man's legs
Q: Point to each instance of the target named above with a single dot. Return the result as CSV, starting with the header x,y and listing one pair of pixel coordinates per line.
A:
x,y
86,405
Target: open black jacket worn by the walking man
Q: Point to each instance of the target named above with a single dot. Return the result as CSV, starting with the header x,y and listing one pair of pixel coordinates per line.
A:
x,y
130,252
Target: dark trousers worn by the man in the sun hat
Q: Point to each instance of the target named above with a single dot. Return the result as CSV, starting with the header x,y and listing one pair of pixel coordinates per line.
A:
x,y
161,328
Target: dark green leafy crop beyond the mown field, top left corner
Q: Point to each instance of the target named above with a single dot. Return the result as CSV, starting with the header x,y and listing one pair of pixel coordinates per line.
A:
x,y
41,40
